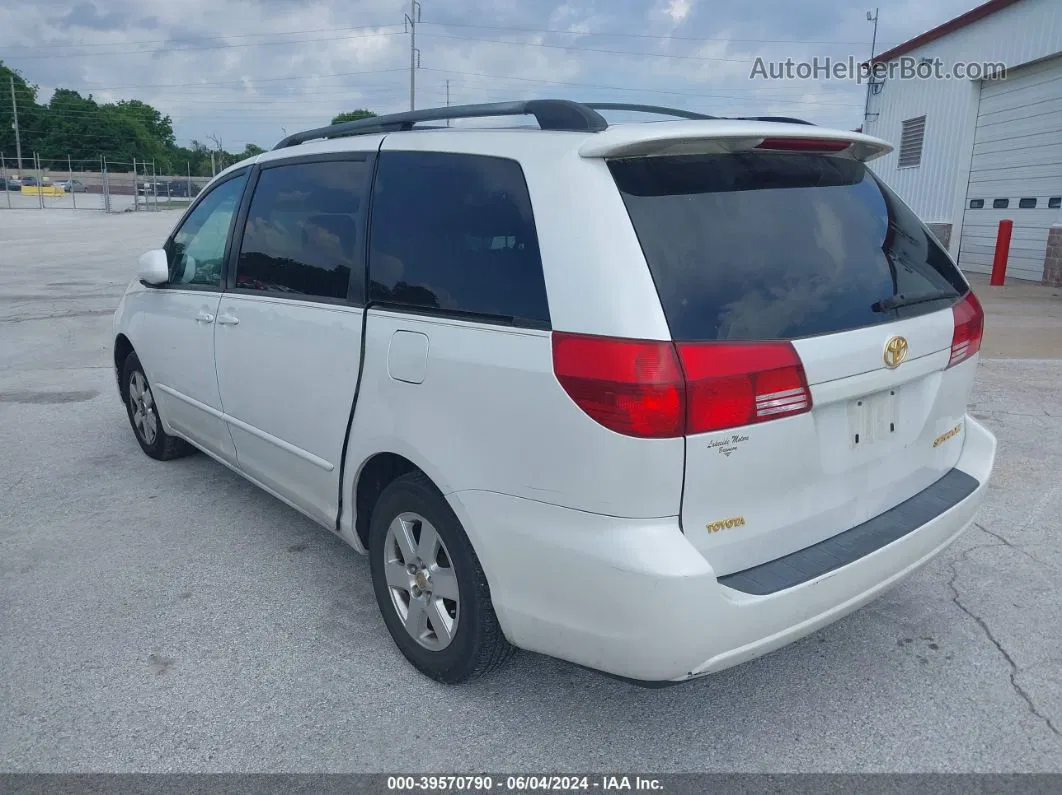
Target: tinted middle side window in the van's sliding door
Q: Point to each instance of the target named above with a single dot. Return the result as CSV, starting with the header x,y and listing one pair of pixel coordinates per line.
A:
x,y
302,235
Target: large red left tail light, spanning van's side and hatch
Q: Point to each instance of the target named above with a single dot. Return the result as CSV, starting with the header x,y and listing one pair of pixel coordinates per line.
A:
x,y
660,390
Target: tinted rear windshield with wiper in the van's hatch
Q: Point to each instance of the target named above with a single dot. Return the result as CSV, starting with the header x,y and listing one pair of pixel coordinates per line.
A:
x,y
767,247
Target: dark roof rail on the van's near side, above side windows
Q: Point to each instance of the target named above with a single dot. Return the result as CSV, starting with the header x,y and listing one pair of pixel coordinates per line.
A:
x,y
551,115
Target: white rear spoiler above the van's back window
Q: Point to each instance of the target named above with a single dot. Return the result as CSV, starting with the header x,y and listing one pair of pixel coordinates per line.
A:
x,y
724,136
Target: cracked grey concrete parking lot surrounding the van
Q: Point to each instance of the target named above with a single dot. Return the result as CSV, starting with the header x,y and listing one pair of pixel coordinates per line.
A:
x,y
169,617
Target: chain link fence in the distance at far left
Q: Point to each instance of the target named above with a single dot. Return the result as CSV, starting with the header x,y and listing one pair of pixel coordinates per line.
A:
x,y
100,185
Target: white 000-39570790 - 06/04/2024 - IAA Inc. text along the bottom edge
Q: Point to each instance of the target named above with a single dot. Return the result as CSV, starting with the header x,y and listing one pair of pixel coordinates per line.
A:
x,y
523,784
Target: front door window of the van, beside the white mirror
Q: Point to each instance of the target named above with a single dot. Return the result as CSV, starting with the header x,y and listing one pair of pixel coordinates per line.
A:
x,y
198,251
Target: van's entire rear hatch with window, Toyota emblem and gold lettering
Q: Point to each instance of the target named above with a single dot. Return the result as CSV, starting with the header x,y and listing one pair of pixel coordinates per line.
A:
x,y
821,331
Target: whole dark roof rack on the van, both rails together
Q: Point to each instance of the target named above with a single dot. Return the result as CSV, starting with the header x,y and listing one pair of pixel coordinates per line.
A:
x,y
558,115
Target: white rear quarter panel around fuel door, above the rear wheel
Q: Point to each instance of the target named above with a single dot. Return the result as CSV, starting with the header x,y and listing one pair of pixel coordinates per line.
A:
x,y
490,416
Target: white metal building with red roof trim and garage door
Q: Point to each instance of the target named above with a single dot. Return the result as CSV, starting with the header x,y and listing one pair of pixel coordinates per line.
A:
x,y
973,152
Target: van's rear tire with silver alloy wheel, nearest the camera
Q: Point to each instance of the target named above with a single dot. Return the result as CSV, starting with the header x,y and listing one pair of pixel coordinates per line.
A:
x,y
449,641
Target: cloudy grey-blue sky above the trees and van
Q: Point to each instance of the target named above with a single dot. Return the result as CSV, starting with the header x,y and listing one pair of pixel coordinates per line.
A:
x,y
249,72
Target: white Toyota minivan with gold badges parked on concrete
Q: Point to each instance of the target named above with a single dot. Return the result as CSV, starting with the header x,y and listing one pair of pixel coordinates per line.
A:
x,y
655,399
